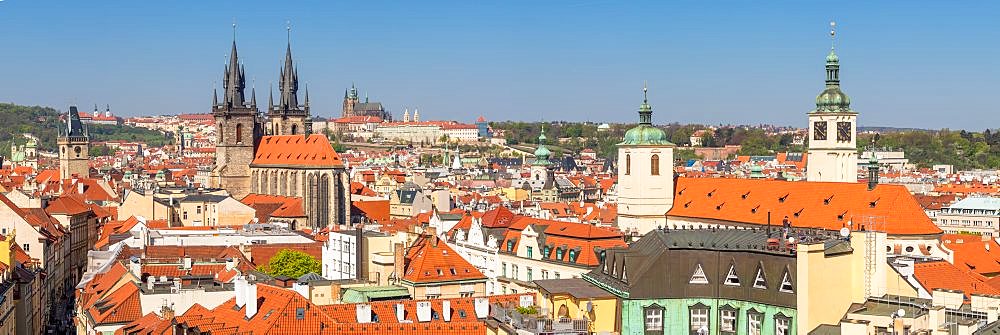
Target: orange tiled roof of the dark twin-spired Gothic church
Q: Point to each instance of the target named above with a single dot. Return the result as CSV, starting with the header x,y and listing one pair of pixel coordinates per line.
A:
x,y
312,151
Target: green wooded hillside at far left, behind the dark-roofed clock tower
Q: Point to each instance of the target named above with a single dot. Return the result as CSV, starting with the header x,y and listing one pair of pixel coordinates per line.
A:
x,y
44,122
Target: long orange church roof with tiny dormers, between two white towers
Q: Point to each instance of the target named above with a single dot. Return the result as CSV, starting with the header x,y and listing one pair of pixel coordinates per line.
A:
x,y
806,204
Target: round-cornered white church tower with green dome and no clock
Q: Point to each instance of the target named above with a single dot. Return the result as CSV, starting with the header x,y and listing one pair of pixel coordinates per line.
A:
x,y
645,175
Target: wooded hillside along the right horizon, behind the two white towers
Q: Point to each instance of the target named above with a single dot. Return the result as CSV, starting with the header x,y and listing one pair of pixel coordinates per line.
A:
x,y
963,149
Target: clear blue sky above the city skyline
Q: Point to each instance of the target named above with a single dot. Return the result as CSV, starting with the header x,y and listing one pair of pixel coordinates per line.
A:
x,y
904,63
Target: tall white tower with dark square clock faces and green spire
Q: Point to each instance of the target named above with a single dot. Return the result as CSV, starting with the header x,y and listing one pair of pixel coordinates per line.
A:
x,y
833,153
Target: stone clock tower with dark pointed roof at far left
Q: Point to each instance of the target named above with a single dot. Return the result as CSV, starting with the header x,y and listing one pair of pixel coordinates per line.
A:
x,y
74,147
